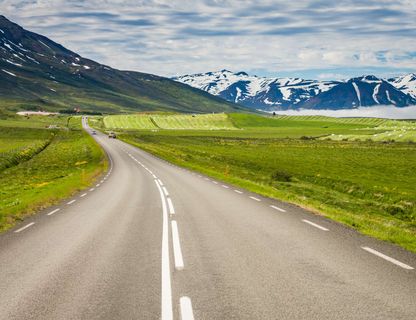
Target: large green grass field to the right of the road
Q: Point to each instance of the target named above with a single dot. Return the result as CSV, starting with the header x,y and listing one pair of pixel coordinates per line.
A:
x,y
367,184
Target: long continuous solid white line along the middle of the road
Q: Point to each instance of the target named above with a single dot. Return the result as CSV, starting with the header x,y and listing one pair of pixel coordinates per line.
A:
x,y
166,304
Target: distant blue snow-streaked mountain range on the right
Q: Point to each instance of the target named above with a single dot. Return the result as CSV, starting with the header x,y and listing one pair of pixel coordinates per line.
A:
x,y
296,93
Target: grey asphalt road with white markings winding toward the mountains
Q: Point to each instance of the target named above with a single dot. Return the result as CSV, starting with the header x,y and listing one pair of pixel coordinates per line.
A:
x,y
153,241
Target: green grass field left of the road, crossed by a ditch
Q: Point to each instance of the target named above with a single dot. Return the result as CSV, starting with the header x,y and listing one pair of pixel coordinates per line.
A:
x,y
39,166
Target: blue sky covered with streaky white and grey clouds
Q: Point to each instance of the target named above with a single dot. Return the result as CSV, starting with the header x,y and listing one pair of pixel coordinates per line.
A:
x,y
322,39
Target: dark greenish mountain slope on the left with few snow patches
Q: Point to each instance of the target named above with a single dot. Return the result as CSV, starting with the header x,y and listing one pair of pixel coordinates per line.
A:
x,y
38,73
